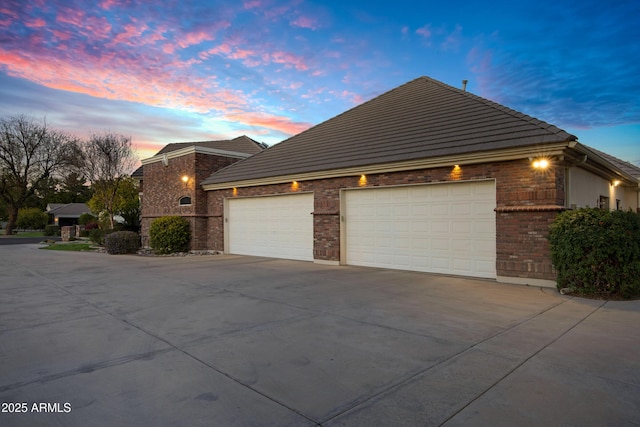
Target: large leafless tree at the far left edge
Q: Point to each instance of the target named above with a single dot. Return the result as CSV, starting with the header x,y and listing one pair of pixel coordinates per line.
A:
x,y
30,153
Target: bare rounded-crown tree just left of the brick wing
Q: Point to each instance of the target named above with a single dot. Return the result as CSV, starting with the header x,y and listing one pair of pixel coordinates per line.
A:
x,y
108,160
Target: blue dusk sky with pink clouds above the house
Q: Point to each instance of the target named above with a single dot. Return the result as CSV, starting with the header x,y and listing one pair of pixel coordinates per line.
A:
x,y
186,70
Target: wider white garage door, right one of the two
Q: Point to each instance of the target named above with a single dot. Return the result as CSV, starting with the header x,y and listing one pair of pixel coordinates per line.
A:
x,y
438,228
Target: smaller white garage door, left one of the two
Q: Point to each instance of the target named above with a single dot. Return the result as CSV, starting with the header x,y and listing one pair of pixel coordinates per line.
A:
x,y
273,226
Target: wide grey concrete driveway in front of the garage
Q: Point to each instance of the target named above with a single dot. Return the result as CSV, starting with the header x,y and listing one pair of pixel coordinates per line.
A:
x,y
90,339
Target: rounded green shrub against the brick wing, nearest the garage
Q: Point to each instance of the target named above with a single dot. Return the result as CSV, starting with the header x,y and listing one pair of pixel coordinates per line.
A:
x,y
169,234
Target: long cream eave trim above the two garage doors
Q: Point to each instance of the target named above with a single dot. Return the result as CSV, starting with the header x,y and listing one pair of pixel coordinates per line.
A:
x,y
433,162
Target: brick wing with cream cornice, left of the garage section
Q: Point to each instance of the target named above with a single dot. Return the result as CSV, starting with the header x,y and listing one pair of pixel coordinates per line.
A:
x,y
170,181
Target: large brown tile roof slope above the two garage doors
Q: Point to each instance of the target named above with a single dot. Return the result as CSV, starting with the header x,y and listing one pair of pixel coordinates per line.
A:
x,y
421,119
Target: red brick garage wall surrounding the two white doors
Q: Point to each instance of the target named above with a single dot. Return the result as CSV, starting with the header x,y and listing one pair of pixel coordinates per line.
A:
x,y
521,247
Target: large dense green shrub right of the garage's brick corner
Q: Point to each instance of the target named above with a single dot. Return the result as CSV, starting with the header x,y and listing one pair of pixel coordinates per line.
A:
x,y
597,252
